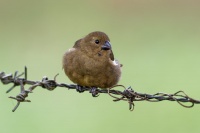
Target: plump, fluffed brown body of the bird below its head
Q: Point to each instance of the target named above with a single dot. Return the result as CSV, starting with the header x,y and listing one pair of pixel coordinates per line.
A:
x,y
91,71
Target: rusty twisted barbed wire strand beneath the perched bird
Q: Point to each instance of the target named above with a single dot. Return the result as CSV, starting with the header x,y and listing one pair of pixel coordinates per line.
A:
x,y
128,94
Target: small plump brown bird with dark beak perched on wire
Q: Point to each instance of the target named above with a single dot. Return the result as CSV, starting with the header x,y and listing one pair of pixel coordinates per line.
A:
x,y
90,63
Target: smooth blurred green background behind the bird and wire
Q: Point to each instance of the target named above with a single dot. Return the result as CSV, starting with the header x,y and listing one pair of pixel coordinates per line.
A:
x,y
157,41
